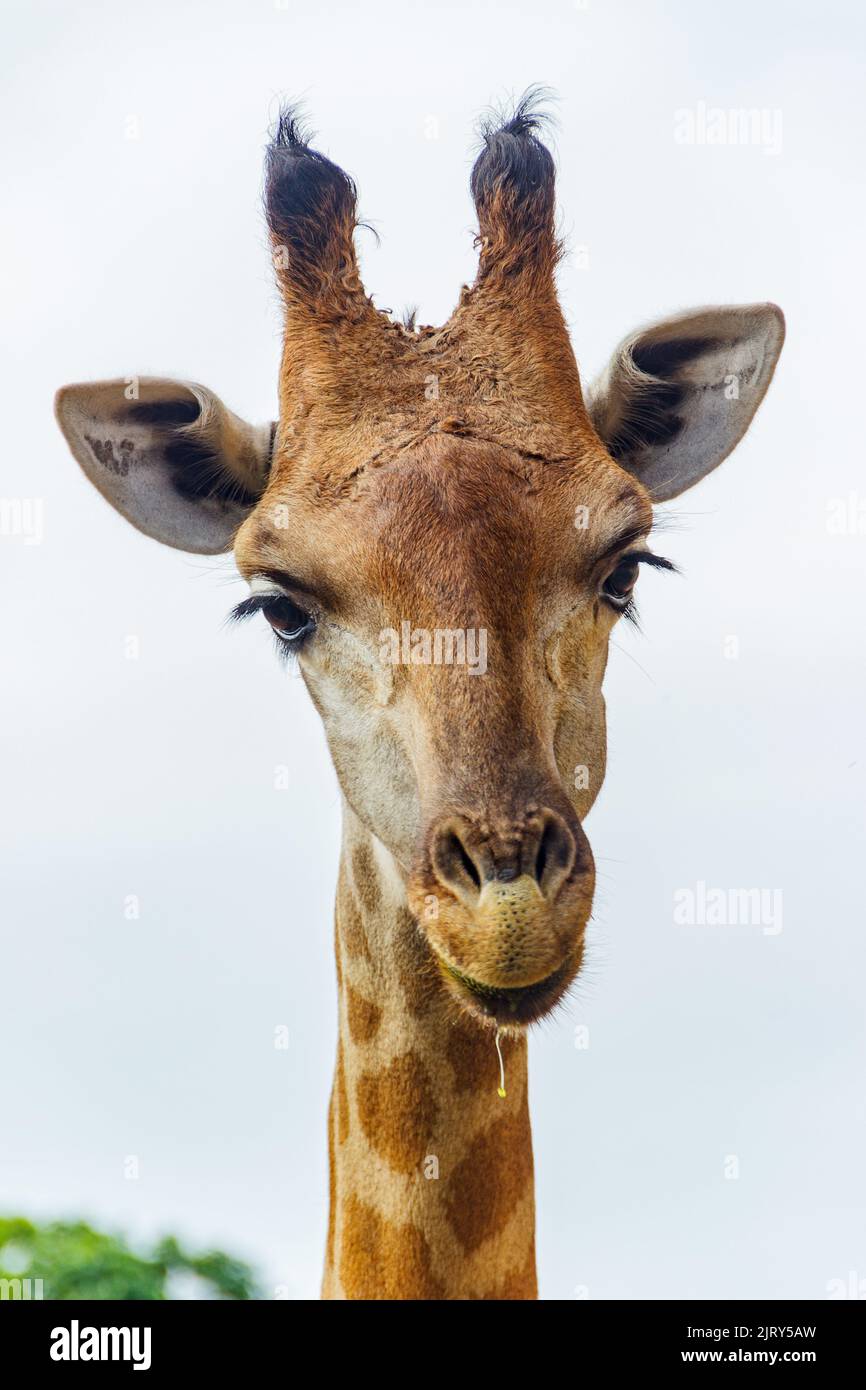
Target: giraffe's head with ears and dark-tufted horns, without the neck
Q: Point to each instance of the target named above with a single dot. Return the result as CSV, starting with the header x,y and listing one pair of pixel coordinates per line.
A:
x,y
444,530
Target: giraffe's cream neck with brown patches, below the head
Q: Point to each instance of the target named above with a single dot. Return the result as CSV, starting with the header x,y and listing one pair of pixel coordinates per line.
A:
x,y
430,1170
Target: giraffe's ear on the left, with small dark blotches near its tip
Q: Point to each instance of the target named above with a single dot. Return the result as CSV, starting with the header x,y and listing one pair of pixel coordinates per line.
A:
x,y
169,457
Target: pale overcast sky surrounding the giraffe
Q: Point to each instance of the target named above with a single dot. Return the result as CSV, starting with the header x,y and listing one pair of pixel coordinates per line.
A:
x,y
155,1038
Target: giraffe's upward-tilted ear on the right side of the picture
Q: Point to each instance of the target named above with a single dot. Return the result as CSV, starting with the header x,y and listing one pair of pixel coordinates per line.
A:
x,y
678,397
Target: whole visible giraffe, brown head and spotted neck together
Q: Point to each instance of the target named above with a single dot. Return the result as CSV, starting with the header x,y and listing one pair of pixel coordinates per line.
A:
x,y
425,494
